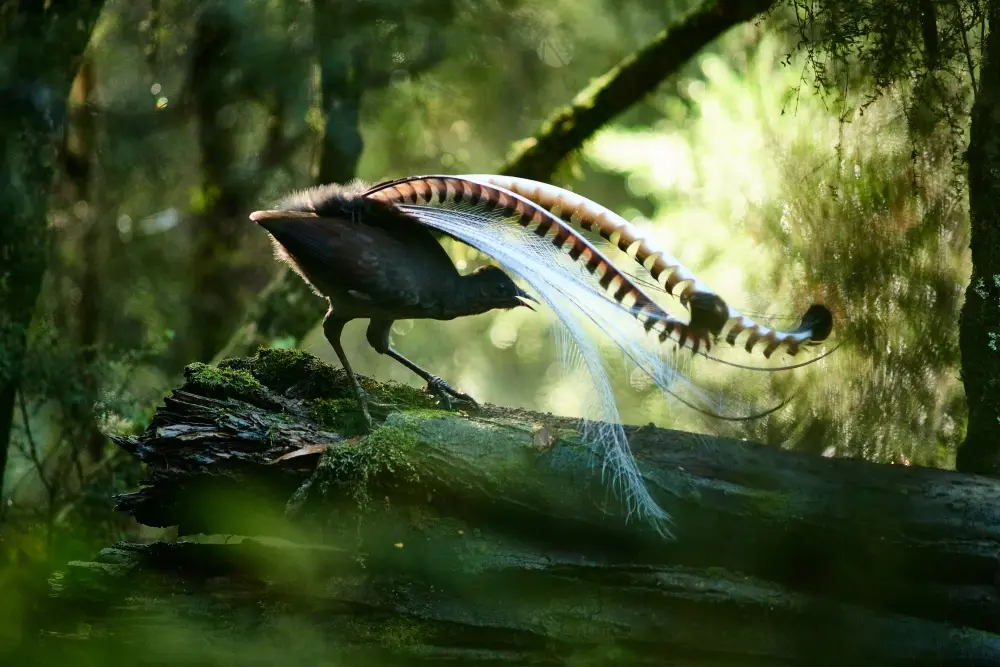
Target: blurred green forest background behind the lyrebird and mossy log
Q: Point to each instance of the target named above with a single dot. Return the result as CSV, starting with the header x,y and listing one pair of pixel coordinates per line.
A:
x,y
802,153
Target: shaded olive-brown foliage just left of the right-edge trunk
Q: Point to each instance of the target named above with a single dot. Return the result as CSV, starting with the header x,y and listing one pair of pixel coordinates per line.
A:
x,y
896,263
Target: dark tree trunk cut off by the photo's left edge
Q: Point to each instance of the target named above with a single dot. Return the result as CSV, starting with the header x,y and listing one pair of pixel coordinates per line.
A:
x,y
41,45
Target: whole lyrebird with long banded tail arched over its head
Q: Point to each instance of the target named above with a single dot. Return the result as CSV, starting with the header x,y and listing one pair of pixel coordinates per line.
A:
x,y
370,252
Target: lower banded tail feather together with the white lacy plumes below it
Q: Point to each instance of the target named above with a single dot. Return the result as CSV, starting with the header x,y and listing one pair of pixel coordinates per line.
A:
x,y
576,282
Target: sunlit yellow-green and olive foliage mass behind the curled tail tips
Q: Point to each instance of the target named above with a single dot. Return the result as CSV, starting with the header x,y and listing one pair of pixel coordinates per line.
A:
x,y
774,211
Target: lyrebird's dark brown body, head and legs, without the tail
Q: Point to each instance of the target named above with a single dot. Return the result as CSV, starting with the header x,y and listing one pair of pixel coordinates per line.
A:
x,y
370,260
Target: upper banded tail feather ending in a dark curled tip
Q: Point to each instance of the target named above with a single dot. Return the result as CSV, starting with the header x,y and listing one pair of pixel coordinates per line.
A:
x,y
705,305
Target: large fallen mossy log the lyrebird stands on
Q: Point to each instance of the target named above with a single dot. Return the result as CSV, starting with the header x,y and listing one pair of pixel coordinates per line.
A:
x,y
488,537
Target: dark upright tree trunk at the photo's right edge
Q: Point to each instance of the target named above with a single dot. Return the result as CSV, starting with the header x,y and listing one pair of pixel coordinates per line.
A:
x,y
979,328
